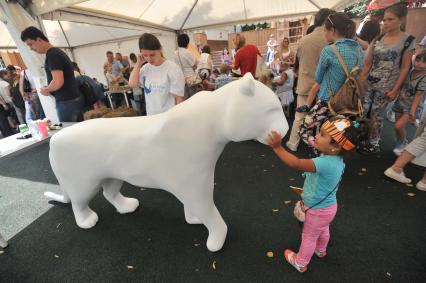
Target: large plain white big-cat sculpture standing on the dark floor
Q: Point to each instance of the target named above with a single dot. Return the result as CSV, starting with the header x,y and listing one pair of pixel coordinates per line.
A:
x,y
176,151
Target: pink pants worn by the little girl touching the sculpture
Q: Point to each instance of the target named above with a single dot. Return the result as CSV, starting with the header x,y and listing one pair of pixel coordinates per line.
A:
x,y
315,234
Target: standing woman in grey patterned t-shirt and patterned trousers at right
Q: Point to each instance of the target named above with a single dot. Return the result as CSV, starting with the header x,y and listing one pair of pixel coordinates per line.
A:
x,y
386,66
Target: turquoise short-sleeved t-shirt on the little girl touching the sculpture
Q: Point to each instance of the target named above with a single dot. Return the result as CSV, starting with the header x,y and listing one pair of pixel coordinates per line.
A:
x,y
329,169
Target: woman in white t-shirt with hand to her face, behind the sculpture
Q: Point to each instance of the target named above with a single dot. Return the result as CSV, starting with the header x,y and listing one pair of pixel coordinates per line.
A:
x,y
162,79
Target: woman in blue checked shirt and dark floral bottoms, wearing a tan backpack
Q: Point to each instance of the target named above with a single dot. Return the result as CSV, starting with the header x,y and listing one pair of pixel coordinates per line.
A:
x,y
330,75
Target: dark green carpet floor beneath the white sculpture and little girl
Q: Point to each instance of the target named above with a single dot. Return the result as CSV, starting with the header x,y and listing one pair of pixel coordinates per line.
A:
x,y
377,236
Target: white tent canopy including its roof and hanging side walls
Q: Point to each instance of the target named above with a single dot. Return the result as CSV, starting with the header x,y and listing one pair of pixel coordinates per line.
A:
x,y
90,28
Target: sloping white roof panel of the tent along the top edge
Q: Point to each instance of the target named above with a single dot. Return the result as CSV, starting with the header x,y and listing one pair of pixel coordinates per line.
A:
x,y
190,14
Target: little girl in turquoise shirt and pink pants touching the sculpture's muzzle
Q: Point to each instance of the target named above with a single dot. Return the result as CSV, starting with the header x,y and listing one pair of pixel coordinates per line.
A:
x,y
322,177
